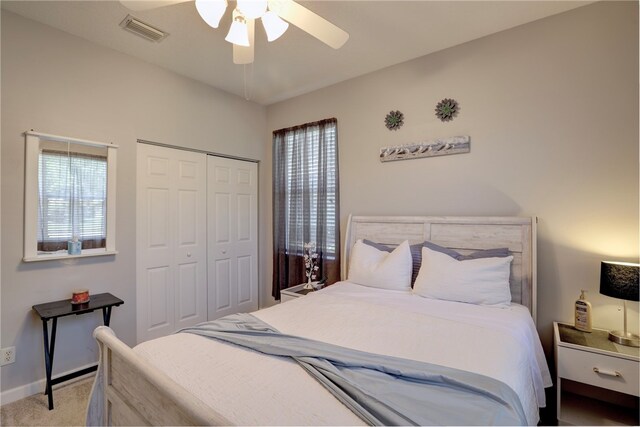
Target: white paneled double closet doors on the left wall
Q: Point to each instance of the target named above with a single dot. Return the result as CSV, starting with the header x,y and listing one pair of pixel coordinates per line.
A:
x,y
196,222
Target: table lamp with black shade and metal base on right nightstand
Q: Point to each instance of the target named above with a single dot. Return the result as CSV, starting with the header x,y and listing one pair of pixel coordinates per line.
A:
x,y
620,280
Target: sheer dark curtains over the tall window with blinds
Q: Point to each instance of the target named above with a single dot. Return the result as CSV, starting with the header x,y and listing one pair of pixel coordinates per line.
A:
x,y
305,202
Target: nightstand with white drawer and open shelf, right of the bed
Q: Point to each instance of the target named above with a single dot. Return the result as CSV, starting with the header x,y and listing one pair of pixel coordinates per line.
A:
x,y
597,380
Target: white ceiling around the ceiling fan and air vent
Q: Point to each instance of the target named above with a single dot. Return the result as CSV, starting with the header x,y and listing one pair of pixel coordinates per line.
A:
x,y
382,33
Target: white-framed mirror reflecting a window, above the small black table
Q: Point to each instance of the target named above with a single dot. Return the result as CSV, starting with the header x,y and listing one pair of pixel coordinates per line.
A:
x,y
69,193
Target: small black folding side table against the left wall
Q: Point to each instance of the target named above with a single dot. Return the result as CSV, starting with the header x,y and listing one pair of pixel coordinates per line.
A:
x,y
53,310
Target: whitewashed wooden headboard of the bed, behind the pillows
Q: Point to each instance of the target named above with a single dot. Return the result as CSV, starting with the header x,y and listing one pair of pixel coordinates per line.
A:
x,y
465,235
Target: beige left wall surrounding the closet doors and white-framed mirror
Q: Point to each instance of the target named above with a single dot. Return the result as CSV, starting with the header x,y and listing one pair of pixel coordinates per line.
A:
x,y
60,84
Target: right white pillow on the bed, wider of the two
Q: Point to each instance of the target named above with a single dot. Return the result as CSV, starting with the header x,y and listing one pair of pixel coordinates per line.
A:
x,y
483,281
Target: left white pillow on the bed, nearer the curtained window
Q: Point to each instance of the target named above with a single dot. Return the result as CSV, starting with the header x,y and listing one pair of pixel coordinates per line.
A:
x,y
380,269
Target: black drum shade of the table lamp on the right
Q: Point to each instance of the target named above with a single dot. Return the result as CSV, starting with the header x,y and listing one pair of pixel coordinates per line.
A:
x,y
619,280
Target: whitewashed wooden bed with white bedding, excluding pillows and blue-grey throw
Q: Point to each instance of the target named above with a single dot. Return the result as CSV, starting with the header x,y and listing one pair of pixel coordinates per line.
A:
x,y
186,379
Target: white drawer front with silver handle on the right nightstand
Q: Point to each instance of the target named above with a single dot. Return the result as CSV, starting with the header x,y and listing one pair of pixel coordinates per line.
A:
x,y
578,365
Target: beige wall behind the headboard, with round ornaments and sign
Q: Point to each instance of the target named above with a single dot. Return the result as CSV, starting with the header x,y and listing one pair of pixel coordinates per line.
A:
x,y
552,111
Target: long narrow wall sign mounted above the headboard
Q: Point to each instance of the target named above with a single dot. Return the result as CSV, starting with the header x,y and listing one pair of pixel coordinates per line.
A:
x,y
430,148
